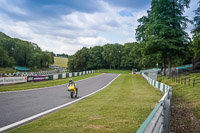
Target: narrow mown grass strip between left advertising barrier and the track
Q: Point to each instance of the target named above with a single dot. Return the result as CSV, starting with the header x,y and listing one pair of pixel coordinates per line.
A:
x,y
33,85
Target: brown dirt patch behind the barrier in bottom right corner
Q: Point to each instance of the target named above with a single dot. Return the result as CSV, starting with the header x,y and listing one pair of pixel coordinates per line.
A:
x,y
182,118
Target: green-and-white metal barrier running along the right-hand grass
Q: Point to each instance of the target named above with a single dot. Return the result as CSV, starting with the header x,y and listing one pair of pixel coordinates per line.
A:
x,y
159,119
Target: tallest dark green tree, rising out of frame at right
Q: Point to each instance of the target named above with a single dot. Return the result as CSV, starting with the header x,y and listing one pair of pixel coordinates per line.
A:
x,y
161,33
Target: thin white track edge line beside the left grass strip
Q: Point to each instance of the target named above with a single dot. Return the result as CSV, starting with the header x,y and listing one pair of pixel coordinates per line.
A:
x,y
35,89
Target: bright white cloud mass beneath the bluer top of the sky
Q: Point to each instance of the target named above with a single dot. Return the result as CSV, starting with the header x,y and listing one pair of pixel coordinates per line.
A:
x,y
76,30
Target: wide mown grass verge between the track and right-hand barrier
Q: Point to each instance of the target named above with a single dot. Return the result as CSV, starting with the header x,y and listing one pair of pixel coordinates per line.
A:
x,y
120,108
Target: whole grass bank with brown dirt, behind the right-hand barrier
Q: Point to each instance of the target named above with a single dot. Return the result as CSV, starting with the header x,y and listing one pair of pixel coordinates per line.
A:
x,y
185,105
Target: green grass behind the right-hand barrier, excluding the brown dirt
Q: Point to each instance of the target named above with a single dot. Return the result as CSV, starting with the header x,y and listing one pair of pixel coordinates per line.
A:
x,y
189,94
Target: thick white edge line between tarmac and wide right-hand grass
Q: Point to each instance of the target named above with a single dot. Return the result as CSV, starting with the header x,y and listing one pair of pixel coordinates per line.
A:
x,y
51,110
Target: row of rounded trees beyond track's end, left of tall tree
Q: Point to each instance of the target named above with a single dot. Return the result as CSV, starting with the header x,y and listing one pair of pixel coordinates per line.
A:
x,y
114,56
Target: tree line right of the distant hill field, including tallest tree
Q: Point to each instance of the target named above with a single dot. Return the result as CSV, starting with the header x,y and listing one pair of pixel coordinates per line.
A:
x,y
161,39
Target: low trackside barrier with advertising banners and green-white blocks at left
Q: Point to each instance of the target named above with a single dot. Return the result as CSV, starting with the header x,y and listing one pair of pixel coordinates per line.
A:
x,y
22,79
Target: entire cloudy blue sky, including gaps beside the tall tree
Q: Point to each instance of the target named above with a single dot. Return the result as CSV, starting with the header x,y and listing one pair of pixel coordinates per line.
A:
x,y
65,26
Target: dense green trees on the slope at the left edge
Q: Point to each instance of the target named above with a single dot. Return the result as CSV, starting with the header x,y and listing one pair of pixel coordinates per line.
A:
x,y
22,53
